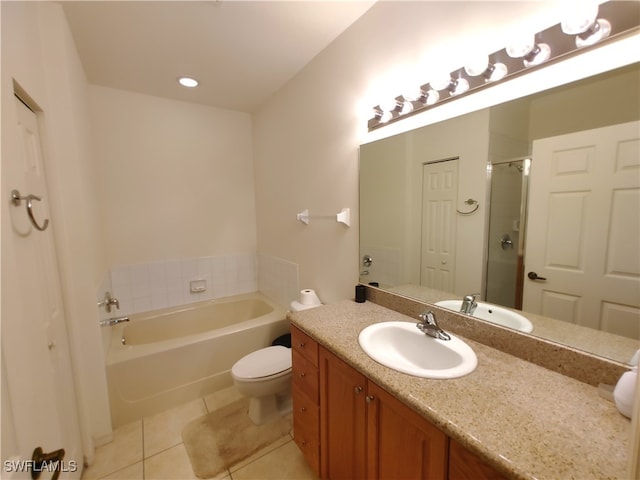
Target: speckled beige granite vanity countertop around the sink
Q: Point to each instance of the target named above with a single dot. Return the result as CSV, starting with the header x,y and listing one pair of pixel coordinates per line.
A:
x,y
522,419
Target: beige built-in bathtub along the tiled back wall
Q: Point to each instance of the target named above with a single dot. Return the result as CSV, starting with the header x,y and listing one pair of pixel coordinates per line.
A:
x,y
167,357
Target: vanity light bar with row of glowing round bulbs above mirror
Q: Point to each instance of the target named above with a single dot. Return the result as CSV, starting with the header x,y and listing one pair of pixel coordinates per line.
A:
x,y
553,44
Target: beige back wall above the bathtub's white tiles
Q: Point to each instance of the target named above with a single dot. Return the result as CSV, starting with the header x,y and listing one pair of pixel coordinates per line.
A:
x,y
175,178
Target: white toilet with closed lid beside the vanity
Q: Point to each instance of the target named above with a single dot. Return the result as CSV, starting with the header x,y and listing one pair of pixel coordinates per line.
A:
x,y
265,377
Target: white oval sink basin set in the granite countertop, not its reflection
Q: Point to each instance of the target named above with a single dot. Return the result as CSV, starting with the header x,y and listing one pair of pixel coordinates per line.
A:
x,y
402,347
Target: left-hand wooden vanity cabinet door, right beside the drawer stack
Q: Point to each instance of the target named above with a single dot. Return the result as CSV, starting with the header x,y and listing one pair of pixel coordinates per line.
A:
x,y
343,419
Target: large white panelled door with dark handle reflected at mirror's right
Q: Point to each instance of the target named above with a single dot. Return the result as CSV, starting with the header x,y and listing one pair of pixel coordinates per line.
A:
x,y
583,231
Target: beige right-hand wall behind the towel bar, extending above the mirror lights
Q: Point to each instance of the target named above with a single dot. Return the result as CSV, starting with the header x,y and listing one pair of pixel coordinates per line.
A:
x,y
306,137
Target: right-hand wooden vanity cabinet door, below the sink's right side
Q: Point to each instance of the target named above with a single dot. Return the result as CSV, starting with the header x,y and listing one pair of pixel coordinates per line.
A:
x,y
401,444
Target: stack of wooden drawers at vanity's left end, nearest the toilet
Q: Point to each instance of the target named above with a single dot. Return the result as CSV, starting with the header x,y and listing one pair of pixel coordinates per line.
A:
x,y
305,395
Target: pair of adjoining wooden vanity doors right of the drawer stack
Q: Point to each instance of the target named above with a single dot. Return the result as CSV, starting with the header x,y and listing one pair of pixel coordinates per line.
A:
x,y
367,433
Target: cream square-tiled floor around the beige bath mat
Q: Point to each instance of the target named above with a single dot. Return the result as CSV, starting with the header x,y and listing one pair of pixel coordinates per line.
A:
x,y
152,448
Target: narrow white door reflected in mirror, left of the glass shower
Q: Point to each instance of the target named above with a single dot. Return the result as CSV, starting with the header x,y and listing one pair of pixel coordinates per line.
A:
x,y
439,197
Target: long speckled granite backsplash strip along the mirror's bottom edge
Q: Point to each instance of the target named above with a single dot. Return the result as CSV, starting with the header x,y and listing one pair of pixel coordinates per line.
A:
x,y
577,364
